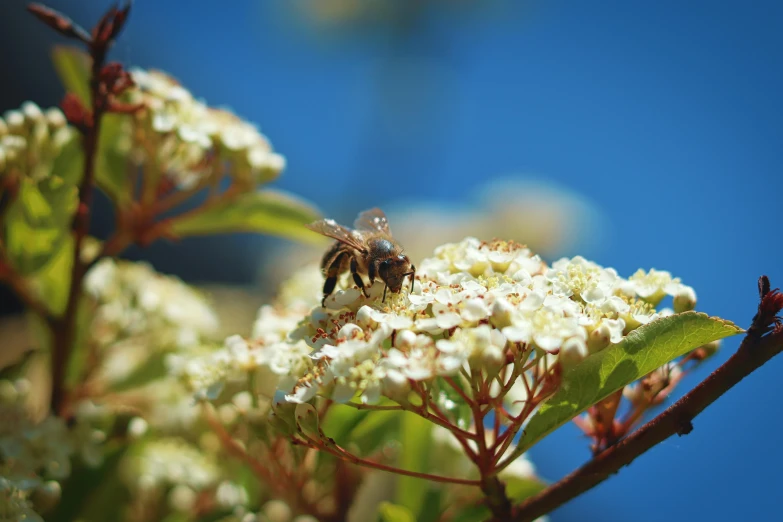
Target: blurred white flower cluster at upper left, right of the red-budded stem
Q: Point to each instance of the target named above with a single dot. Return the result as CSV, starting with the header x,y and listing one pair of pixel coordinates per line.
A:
x,y
188,132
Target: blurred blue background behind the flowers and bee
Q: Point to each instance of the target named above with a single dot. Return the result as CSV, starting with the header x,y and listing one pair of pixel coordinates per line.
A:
x,y
636,134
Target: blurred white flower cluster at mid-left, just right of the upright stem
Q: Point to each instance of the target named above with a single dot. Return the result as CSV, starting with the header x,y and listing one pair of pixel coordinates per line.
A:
x,y
139,311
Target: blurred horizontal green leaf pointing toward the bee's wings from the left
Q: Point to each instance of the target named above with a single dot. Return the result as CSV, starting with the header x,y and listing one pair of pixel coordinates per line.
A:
x,y
265,212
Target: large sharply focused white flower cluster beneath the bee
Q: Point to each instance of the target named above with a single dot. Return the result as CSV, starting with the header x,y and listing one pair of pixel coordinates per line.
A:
x,y
475,305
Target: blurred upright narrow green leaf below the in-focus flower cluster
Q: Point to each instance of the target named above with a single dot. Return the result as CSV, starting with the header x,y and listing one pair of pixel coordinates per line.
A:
x,y
415,442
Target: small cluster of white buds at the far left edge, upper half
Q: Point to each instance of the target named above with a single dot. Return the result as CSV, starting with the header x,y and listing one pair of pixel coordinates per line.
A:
x,y
31,140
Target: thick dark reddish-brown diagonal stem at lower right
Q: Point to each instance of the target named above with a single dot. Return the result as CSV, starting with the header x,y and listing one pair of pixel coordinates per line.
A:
x,y
752,354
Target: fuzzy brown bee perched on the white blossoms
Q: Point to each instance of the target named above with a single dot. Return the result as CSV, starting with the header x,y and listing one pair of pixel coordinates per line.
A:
x,y
367,249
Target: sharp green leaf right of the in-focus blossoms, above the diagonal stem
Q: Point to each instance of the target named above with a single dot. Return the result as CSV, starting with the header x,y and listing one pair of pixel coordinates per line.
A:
x,y
639,353
